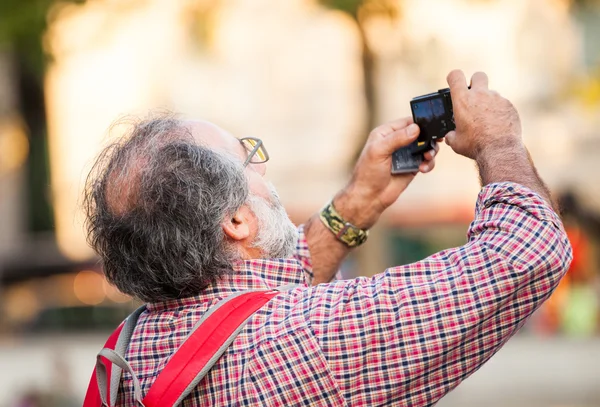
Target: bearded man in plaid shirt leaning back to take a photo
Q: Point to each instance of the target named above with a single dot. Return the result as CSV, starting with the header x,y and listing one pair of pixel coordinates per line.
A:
x,y
182,217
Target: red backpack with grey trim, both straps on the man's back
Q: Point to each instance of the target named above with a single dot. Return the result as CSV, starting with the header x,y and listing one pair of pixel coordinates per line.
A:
x,y
207,341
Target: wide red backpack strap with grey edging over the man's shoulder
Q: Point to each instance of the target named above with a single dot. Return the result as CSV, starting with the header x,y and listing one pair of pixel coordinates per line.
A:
x,y
210,338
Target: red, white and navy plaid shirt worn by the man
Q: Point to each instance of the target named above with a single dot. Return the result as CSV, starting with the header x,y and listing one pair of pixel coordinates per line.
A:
x,y
403,337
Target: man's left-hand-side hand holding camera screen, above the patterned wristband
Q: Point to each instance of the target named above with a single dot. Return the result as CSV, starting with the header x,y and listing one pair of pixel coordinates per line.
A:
x,y
373,188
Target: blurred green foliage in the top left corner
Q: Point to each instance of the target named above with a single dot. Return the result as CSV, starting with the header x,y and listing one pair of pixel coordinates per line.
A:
x,y
22,25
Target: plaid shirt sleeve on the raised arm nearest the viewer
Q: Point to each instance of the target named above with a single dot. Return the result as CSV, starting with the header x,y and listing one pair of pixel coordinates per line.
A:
x,y
411,334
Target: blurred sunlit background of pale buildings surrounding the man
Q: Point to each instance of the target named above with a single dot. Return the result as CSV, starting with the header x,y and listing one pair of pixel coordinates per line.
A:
x,y
310,78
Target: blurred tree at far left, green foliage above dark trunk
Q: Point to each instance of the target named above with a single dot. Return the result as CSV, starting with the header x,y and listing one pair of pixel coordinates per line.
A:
x,y
22,26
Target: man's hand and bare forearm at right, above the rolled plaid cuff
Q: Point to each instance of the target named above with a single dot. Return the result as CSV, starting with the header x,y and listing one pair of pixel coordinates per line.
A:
x,y
488,130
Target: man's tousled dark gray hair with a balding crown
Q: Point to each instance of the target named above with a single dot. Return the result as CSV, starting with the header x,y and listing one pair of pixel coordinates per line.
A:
x,y
155,201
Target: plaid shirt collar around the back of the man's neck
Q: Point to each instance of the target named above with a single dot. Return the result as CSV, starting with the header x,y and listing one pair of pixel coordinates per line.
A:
x,y
255,274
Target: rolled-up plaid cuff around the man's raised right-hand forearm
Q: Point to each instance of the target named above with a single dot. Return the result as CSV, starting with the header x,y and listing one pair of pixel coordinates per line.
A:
x,y
510,193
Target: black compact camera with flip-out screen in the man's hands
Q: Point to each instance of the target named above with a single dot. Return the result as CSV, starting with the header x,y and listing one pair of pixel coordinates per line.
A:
x,y
435,117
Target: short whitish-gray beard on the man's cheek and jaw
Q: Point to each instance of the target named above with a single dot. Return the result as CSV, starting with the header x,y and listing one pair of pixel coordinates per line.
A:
x,y
277,236
